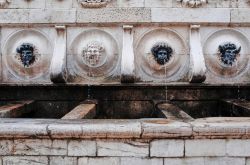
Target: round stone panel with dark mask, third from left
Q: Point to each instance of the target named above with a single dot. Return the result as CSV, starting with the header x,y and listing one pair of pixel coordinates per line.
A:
x,y
161,55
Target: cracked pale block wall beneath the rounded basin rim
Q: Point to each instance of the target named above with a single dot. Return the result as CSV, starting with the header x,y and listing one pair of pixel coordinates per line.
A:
x,y
123,152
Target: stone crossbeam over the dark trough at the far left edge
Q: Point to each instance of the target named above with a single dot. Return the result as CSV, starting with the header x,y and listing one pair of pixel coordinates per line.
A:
x,y
15,109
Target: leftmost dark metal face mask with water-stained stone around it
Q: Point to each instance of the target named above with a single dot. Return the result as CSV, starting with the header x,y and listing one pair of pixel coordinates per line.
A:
x,y
26,54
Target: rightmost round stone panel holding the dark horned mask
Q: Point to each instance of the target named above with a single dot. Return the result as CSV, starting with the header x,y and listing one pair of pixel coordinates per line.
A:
x,y
226,53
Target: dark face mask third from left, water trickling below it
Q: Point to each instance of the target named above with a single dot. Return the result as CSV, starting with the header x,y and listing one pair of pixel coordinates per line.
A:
x,y
162,53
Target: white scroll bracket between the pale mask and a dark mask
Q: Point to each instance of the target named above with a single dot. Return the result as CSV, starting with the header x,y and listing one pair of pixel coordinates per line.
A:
x,y
128,62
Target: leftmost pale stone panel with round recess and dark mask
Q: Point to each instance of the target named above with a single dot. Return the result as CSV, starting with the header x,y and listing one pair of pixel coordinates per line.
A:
x,y
26,55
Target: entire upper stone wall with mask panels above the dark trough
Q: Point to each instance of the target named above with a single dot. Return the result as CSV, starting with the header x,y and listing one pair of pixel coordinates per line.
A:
x,y
62,33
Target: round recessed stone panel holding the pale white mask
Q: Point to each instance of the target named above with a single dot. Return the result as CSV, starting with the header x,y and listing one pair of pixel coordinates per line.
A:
x,y
93,55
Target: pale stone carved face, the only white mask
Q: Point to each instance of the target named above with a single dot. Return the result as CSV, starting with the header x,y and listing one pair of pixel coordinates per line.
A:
x,y
92,53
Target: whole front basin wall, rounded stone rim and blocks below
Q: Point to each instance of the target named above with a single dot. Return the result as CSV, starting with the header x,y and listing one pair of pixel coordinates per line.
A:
x,y
135,142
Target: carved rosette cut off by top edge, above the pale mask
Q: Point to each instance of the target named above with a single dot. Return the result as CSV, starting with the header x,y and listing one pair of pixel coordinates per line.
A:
x,y
93,3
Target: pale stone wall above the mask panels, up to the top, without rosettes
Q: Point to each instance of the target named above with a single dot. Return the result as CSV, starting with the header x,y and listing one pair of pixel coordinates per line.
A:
x,y
70,11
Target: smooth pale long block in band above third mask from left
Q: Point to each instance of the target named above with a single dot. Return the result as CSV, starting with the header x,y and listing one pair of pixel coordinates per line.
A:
x,y
187,15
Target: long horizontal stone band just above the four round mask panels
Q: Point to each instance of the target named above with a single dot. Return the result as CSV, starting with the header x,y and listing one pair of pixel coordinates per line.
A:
x,y
125,15
